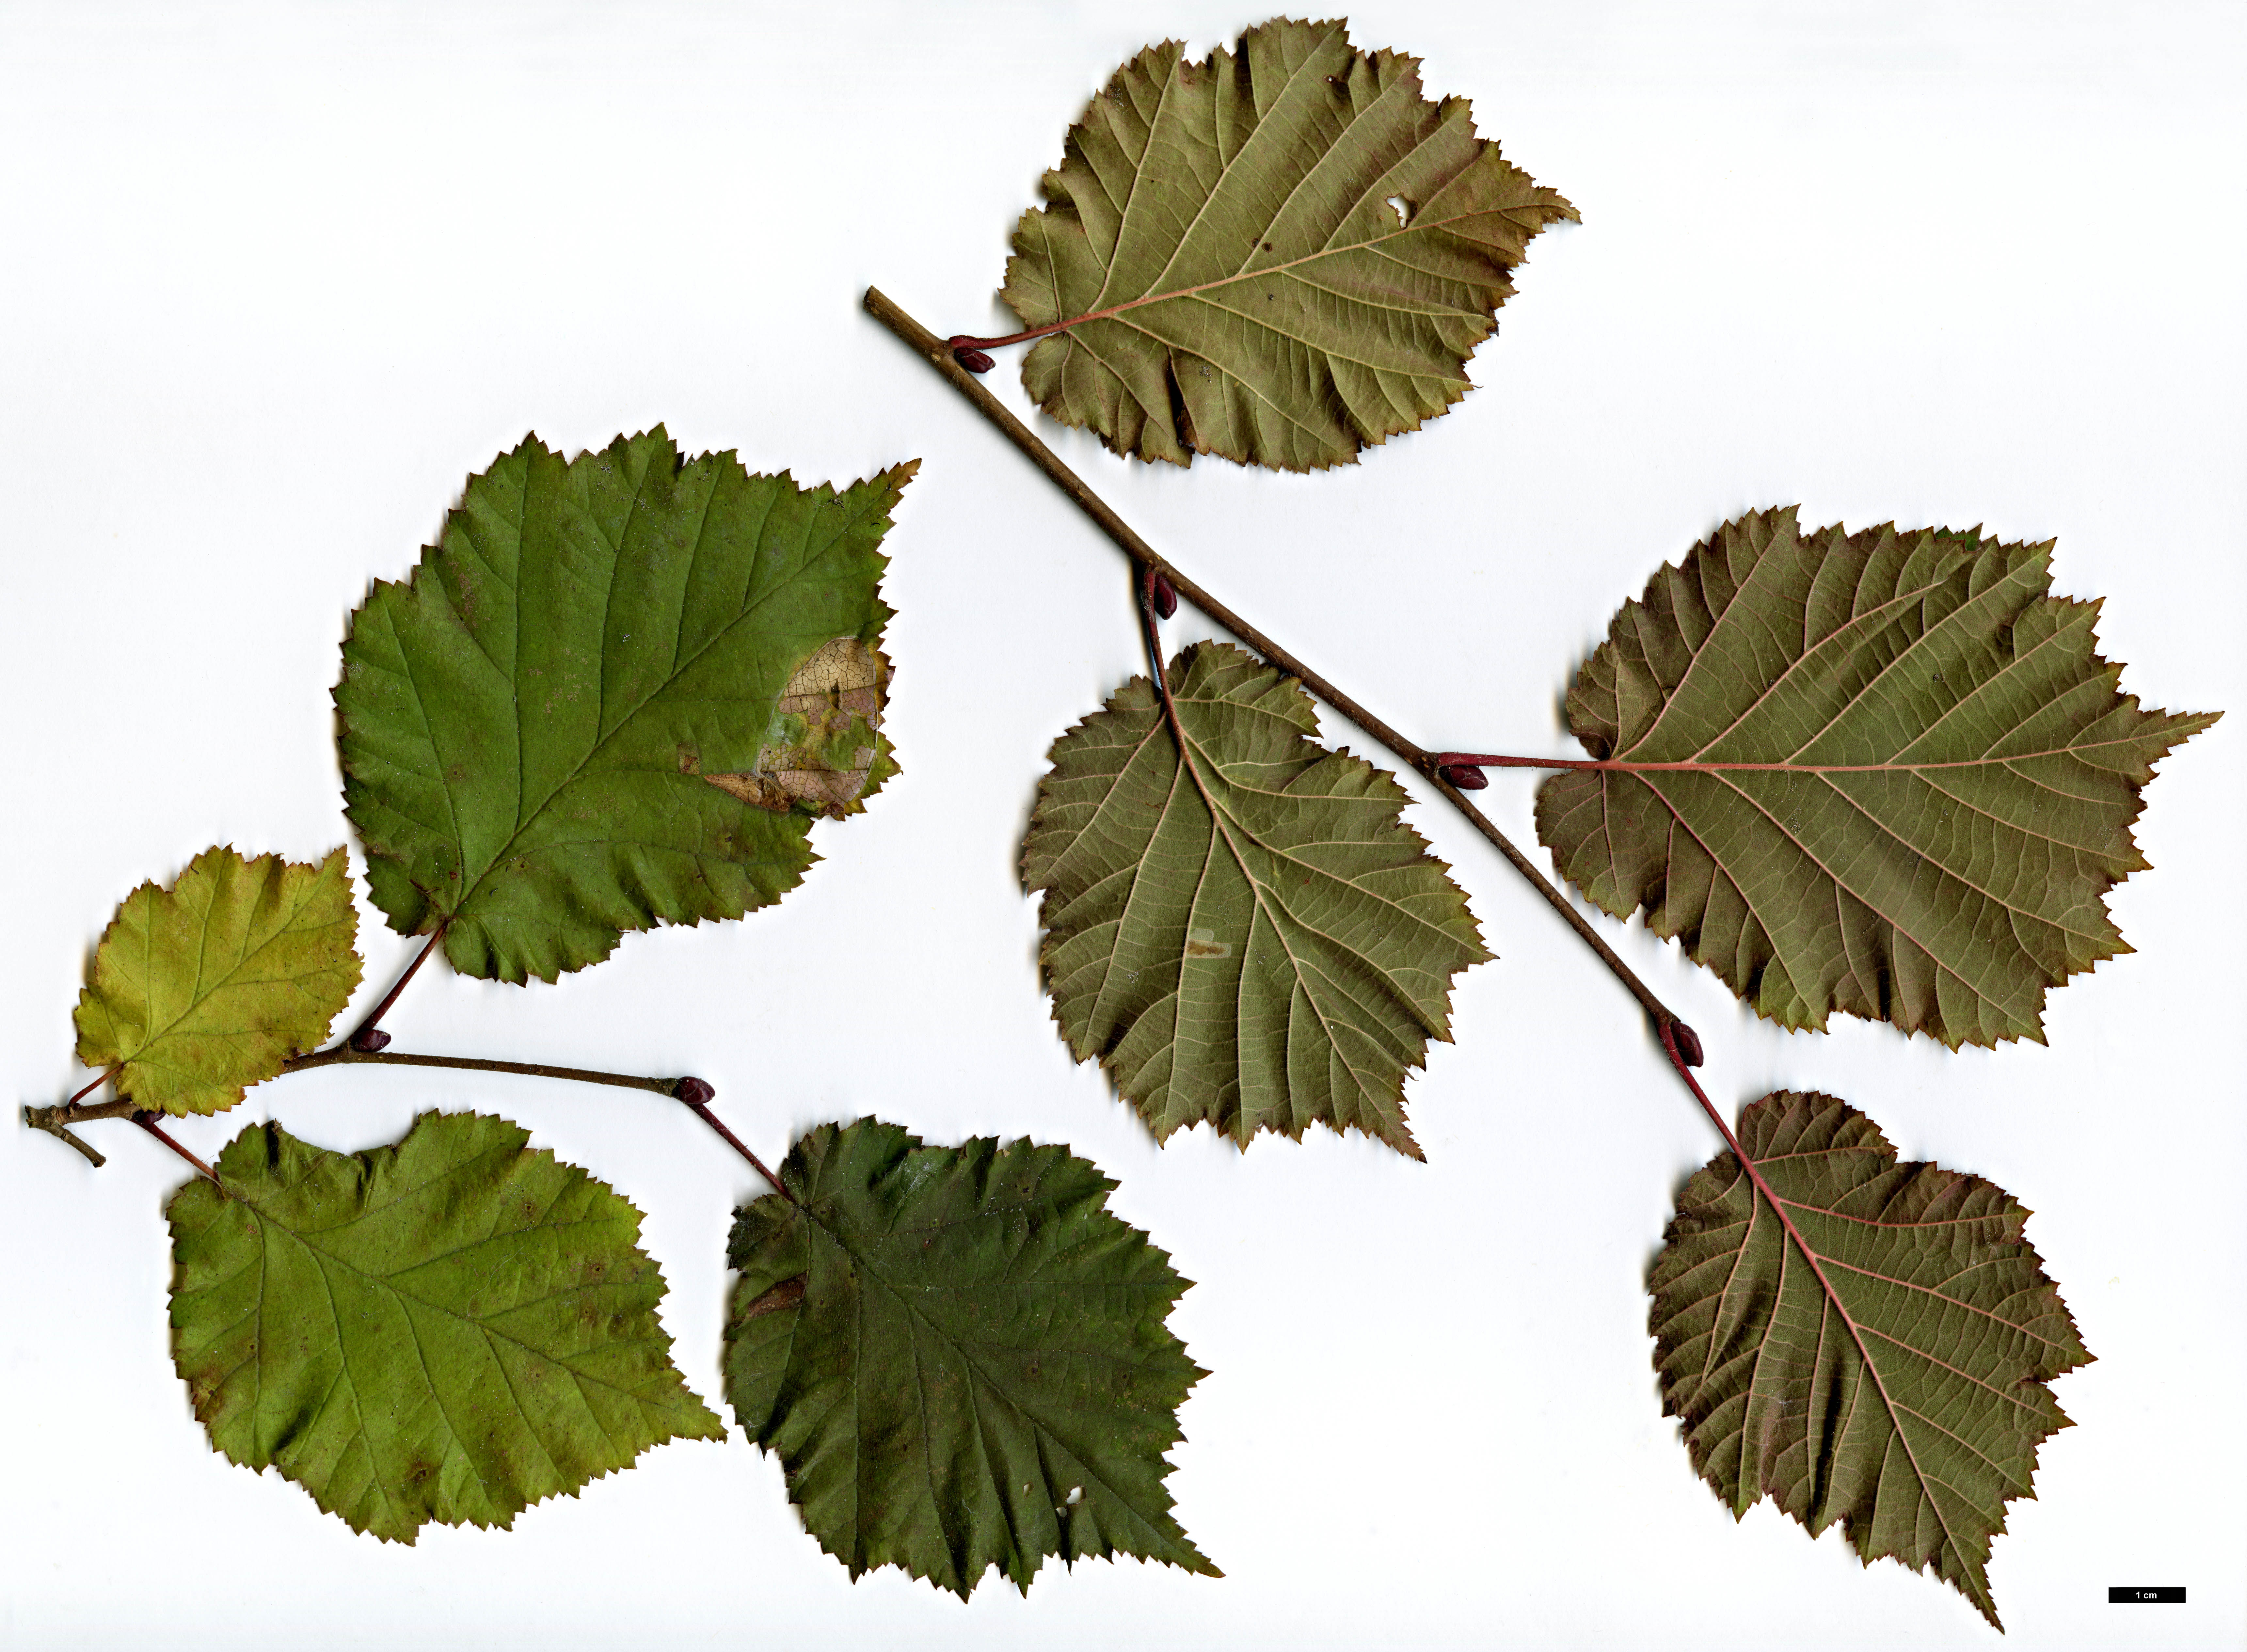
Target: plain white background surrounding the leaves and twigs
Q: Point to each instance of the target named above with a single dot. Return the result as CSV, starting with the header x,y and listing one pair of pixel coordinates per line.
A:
x,y
275,280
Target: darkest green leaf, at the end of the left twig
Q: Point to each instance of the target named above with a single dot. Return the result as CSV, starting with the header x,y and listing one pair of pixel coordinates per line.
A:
x,y
958,1356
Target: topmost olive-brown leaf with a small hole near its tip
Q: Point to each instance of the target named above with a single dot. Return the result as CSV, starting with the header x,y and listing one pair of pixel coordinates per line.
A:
x,y
1232,275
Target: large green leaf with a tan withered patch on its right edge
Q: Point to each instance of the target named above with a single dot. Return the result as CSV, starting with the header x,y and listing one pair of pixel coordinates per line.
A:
x,y
576,718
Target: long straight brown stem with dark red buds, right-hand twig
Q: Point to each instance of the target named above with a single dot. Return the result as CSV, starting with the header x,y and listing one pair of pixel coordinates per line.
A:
x,y
1426,763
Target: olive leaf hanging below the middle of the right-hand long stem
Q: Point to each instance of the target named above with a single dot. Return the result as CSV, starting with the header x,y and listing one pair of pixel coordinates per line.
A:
x,y
1253,936
